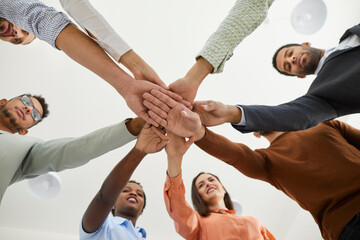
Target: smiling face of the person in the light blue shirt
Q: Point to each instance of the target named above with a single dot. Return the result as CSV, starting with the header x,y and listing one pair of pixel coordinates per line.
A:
x,y
130,201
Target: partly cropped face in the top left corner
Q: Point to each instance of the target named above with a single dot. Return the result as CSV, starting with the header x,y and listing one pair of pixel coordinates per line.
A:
x,y
13,34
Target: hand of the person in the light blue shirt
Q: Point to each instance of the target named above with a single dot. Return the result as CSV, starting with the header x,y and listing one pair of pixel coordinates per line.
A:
x,y
151,139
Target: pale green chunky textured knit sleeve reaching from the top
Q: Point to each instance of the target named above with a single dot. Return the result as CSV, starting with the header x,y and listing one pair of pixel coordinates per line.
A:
x,y
243,19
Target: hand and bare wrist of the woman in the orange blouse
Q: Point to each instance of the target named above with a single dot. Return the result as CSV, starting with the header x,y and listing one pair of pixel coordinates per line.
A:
x,y
175,151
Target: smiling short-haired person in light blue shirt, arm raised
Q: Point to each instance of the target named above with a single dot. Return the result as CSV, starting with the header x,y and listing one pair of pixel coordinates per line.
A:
x,y
125,198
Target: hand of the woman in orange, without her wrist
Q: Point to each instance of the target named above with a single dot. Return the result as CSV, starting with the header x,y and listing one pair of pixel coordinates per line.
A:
x,y
177,146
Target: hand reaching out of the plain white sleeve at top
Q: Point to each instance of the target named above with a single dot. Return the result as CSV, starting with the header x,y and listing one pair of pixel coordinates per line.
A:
x,y
140,69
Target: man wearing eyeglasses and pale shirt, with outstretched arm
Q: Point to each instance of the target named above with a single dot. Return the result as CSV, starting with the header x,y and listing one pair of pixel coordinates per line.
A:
x,y
23,157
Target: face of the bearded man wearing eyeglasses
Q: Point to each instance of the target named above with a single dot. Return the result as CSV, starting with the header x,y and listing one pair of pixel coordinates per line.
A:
x,y
17,116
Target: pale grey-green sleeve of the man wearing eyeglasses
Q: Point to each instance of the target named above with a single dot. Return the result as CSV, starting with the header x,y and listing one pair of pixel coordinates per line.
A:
x,y
60,154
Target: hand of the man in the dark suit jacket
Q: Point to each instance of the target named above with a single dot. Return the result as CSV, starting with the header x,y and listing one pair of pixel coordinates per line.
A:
x,y
214,113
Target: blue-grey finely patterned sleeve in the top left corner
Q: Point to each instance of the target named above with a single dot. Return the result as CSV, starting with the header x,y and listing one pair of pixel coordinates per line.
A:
x,y
35,17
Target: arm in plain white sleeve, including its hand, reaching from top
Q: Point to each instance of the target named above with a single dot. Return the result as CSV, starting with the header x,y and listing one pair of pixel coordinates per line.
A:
x,y
98,28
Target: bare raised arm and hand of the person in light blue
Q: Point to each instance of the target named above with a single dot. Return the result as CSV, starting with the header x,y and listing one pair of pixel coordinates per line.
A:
x,y
100,206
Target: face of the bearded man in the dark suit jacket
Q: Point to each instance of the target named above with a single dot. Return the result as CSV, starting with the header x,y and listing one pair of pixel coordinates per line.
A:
x,y
298,60
